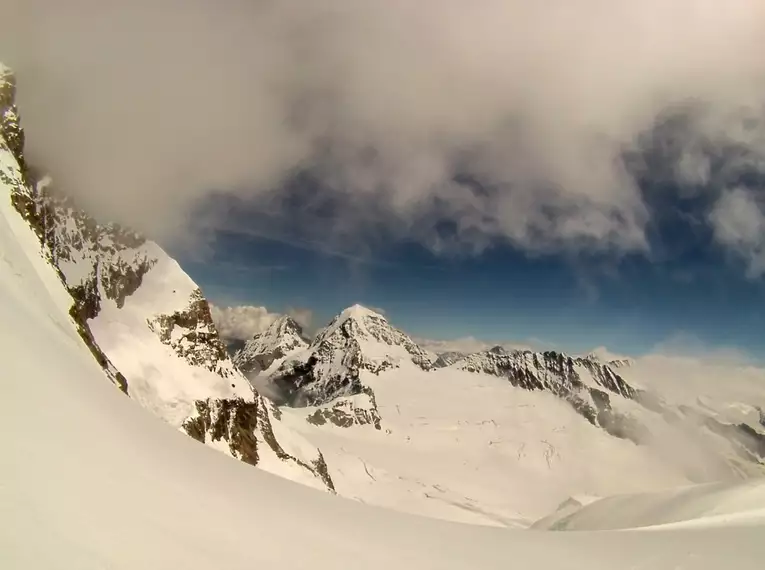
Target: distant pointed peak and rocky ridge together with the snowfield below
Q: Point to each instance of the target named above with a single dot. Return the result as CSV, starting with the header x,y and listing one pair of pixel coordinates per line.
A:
x,y
453,436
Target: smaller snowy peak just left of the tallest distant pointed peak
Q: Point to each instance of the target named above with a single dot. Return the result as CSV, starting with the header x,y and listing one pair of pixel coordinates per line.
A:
x,y
282,338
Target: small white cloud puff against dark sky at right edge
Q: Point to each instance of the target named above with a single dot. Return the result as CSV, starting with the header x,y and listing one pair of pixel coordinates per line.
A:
x,y
738,221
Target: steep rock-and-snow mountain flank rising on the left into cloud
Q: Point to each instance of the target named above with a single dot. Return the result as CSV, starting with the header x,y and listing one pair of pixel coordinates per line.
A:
x,y
145,321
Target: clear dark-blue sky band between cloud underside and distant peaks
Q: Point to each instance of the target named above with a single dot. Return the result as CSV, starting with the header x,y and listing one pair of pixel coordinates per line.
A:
x,y
630,304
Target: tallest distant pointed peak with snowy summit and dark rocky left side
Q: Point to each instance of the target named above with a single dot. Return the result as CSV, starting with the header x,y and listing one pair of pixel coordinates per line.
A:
x,y
357,340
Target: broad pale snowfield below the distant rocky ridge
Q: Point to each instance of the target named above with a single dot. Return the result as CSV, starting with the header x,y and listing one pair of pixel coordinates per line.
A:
x,y
473,448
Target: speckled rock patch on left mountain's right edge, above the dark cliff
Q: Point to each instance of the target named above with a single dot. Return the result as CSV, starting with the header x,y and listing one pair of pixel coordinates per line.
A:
x,y
192,335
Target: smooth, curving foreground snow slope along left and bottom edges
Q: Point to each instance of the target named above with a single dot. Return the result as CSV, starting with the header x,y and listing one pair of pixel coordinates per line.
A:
x,y
91,481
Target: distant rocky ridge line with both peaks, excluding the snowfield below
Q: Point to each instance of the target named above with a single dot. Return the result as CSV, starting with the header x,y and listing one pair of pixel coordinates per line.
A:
x,y
329,375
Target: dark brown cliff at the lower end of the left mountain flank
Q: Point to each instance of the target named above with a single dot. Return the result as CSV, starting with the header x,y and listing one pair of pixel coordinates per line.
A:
x,y
244,426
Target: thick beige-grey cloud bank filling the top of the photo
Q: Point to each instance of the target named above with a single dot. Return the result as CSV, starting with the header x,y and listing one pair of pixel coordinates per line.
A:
x,y
447,122
